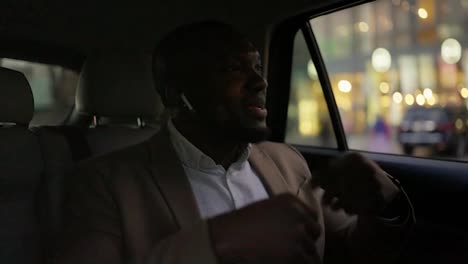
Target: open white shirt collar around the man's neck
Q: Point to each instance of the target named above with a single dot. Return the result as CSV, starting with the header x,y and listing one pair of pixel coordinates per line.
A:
x,y
193,157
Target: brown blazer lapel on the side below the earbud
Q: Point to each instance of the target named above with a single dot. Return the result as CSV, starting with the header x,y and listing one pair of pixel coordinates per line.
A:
x,y
170,177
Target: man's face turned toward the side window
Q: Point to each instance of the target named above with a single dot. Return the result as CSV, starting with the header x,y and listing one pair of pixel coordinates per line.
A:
x,y
231,91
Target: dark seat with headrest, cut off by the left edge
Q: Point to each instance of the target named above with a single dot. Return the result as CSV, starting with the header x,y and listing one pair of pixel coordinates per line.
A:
x,y
21,168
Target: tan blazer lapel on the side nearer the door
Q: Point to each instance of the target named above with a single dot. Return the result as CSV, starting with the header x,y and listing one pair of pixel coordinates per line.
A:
x,y
268,172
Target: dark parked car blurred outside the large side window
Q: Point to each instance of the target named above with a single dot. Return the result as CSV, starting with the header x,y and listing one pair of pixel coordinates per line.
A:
x,y
444,129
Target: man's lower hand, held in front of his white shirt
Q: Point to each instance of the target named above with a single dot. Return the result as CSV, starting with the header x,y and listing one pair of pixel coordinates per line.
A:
x,y
278,230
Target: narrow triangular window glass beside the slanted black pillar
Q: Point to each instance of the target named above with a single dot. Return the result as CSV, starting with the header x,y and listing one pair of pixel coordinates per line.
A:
x,y
308,117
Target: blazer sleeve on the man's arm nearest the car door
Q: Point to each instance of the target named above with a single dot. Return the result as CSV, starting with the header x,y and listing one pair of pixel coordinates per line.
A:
x,y
355,239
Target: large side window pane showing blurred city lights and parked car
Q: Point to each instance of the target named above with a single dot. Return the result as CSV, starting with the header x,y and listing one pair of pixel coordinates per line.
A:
x,y
398,69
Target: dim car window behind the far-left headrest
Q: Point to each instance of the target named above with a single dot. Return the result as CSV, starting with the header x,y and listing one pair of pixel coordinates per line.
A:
x,y
53,89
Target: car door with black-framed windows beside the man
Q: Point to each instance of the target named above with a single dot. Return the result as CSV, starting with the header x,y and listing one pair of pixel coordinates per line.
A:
x,y
341,78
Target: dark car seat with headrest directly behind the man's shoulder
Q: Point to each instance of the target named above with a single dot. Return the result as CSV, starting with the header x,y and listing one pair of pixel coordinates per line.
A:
x,y
116,106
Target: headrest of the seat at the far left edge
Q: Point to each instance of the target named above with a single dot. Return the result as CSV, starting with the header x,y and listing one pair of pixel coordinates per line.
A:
x,y
16,99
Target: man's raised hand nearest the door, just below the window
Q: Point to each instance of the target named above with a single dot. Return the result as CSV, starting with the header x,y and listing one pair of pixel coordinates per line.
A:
x,y
357,185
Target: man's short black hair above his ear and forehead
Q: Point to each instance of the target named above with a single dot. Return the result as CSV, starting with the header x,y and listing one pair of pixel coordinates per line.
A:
x,y
183,42
